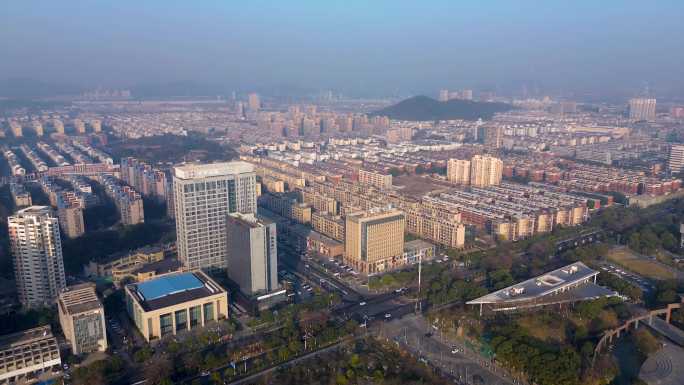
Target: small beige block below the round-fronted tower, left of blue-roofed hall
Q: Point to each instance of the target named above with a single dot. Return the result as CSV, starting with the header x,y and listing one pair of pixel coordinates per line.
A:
x,y
82,318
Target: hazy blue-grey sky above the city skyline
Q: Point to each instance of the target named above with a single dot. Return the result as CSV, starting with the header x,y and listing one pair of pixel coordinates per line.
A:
x,y
410,46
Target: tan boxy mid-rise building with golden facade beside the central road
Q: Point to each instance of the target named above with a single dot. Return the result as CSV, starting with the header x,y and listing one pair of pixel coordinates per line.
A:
x,y
374,240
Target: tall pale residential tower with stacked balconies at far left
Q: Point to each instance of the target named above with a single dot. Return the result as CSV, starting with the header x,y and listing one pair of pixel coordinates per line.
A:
x,y
37,251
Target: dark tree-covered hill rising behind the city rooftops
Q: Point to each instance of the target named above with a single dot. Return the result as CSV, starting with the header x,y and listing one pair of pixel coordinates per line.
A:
x,y
425,108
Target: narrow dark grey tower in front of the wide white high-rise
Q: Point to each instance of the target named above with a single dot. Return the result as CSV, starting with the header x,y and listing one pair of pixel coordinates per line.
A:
x,y
253,253
